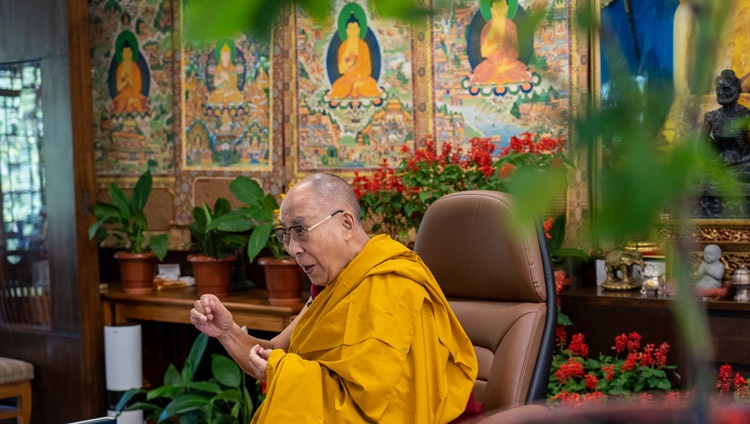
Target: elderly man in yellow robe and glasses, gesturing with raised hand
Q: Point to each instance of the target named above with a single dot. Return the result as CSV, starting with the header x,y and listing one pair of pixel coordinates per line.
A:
x,y
379,344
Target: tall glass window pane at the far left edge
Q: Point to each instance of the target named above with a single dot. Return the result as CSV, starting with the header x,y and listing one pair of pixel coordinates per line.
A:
x,y
24,274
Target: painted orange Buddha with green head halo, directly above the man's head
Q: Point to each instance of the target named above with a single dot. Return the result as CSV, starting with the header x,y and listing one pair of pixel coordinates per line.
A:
x,y
353,78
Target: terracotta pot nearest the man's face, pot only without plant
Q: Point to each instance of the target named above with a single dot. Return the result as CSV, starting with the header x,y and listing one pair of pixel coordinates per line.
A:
x,y
283,280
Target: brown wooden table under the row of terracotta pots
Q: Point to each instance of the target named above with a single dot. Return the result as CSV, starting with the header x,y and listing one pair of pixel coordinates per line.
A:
x,y
250,308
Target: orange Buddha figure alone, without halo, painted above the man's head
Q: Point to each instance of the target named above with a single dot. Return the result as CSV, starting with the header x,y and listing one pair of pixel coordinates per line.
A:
x,y
355,66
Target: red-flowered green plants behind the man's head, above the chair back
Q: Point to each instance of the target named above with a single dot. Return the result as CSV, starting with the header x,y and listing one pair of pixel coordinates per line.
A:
x,y
395,199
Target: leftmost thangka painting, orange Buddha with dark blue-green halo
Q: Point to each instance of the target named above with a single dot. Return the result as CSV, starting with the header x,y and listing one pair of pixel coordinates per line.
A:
x,y
132,78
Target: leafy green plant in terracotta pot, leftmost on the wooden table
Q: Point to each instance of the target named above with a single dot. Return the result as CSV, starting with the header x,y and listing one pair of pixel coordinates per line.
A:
x,y
125,221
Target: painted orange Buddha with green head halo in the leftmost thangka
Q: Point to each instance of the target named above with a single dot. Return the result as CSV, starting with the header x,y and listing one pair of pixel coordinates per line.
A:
x,y
128,78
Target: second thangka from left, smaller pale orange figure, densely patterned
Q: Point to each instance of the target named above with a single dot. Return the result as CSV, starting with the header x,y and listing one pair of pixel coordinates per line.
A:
x,y
227,105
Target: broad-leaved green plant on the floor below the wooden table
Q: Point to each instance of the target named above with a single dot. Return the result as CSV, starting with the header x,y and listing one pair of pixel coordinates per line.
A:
x,y
222,398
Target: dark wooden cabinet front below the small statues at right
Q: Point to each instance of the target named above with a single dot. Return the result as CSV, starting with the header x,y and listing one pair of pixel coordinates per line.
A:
x,y
601,315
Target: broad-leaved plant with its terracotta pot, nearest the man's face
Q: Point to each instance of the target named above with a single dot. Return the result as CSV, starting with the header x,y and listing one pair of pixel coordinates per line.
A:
x,y
283,275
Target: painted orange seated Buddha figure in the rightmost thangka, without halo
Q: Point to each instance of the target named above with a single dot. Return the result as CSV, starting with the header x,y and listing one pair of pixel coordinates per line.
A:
x,y
499,48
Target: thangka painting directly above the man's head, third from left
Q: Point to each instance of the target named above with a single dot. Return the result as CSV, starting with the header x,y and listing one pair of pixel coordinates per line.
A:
x,y
354,90
